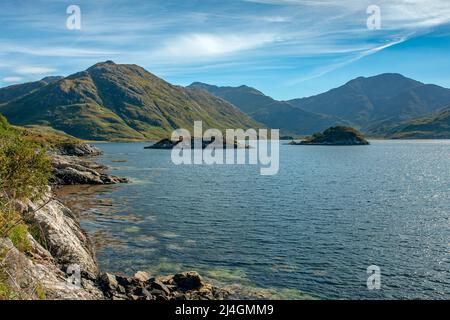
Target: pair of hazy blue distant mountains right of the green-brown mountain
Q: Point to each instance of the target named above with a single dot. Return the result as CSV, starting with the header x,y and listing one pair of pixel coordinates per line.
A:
x,y
375,105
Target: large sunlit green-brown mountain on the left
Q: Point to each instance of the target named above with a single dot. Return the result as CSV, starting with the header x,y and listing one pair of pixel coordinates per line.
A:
x,y
110,101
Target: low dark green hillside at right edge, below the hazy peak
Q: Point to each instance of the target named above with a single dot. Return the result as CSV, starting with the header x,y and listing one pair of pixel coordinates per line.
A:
x,y
434,126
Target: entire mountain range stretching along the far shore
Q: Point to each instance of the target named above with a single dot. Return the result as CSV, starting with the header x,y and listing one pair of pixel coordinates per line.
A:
x,y
111,101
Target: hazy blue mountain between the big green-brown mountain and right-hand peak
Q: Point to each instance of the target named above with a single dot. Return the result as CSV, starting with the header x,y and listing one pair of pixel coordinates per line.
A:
x,y
272,113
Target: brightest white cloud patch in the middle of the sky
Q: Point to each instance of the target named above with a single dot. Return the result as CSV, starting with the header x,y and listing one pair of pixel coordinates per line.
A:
x,y
203,45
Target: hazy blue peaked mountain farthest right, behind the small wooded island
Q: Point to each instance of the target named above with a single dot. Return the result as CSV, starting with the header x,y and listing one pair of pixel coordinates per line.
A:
x,y
368,102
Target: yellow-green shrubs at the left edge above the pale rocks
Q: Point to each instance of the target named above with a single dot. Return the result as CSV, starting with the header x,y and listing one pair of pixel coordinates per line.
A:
x,y
24,174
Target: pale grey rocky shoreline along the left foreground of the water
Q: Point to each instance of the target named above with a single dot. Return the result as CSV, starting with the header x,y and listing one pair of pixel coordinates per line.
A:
x,y
61,263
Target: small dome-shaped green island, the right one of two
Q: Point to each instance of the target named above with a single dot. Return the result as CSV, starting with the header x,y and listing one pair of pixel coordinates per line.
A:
x,y
335,136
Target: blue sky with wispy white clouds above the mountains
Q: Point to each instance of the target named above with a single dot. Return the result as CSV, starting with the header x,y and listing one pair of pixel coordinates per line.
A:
x,y
285,48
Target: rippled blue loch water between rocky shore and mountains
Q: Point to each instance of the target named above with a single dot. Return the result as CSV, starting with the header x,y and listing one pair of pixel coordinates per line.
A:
x,y
315,227
